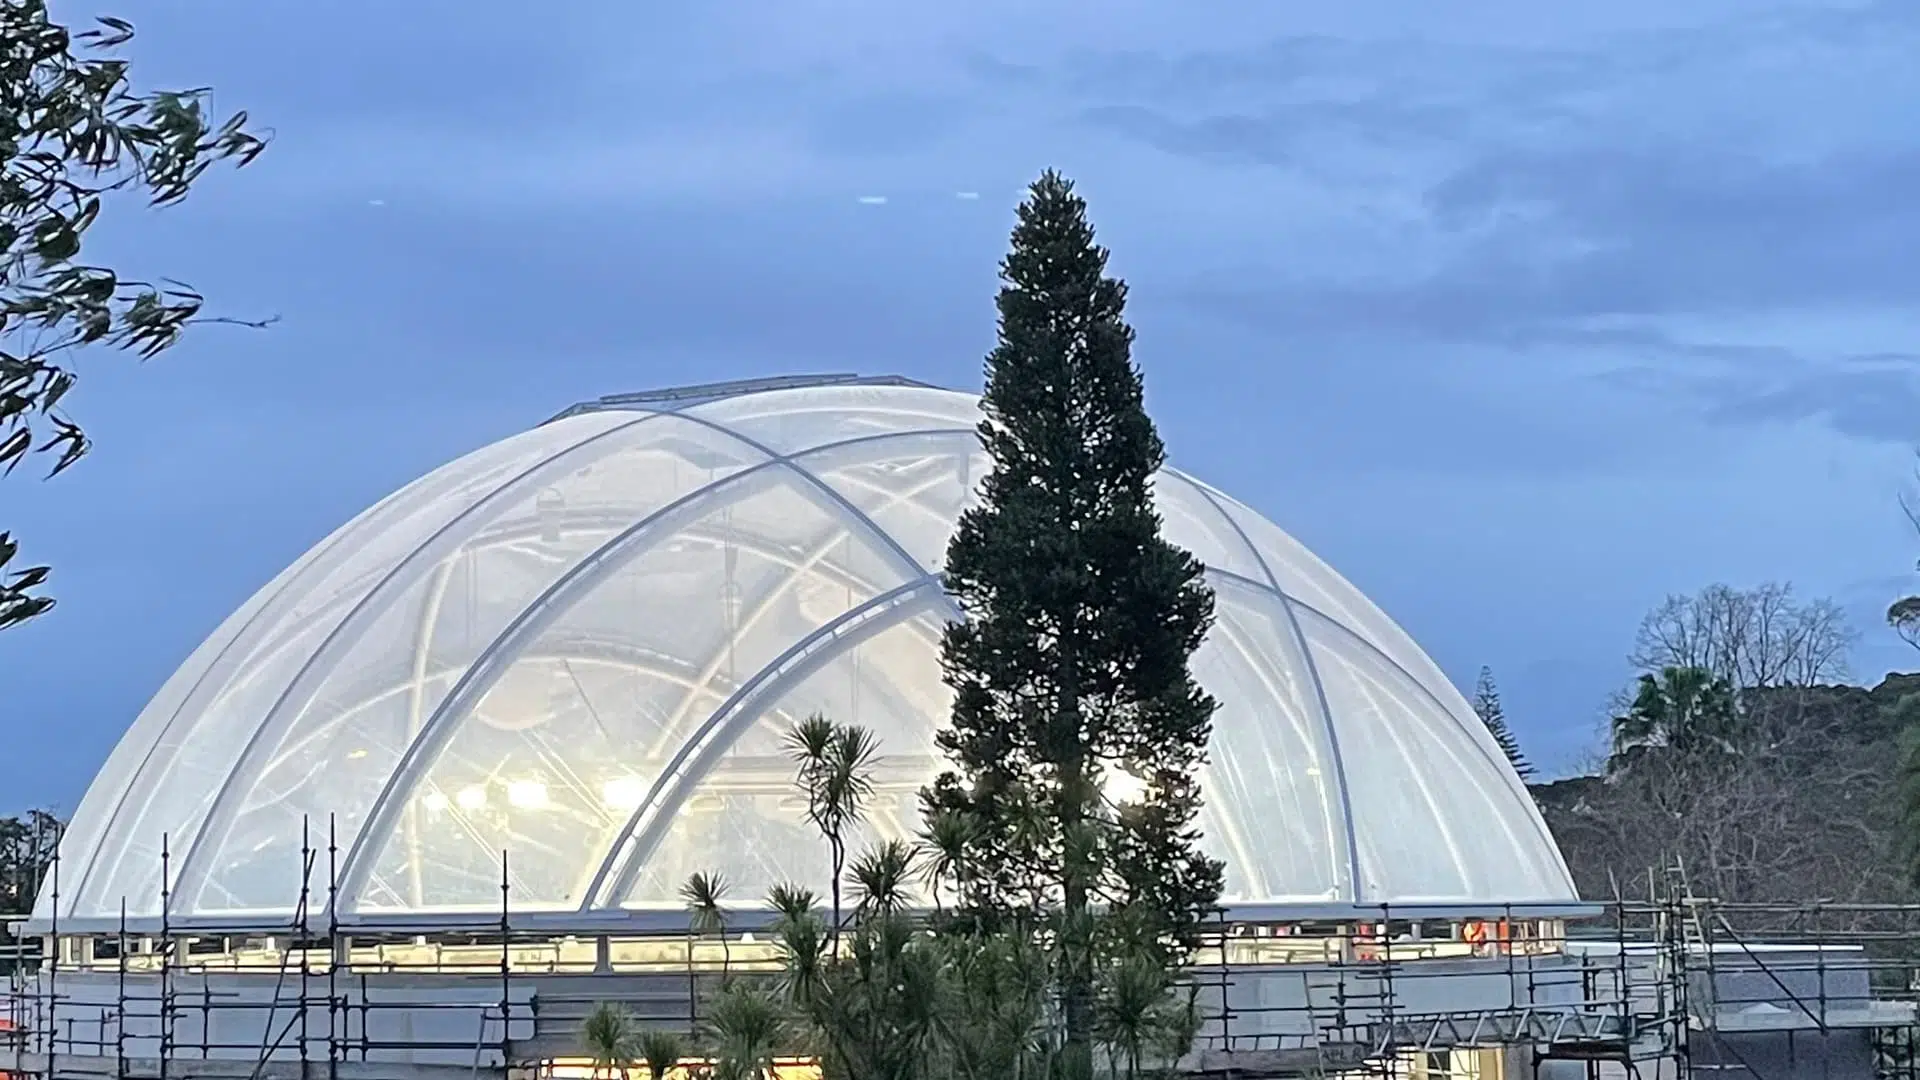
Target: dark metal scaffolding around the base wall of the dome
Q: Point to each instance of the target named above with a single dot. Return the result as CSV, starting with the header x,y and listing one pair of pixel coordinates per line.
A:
x,y
1668,989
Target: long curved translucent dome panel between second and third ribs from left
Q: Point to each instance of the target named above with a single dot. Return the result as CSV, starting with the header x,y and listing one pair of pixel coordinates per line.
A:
x,y
381,681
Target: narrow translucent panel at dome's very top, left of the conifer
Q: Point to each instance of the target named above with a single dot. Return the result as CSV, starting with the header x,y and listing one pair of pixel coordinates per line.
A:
x,y
792,422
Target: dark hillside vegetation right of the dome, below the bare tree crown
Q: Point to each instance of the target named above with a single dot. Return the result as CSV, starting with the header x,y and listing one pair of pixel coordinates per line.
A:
x,y
1787,797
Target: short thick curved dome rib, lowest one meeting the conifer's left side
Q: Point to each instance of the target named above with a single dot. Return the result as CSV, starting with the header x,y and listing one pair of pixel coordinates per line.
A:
x,y
696,756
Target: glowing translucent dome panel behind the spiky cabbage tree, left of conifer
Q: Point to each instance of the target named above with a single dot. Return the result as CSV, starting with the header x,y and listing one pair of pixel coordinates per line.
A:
x,y
746,816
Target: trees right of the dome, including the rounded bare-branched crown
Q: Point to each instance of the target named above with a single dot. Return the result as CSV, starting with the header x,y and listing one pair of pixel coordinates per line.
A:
x,y
1742,754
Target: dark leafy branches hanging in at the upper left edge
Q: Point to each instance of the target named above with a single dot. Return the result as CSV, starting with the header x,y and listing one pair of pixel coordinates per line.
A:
x,y
76,134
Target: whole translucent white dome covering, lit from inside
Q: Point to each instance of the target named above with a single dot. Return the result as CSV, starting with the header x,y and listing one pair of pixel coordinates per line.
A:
x,y
583,647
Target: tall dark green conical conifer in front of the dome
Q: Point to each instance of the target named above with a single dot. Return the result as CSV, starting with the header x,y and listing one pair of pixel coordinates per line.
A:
x,y
1072,668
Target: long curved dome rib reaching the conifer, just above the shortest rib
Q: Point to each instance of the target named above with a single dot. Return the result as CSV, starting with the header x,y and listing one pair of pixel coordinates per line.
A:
x,y
581,581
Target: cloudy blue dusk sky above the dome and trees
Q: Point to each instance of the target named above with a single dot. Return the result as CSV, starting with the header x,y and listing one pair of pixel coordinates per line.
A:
x,y
1520,314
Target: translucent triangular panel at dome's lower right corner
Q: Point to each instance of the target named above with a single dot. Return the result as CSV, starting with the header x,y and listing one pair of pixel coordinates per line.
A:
x,y
1435,816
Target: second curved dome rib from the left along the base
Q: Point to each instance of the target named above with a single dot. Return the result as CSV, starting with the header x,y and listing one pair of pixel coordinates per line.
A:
x,y
341,641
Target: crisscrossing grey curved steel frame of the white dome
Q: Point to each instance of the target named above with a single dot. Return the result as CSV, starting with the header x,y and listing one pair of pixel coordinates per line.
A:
x,y
627,858
